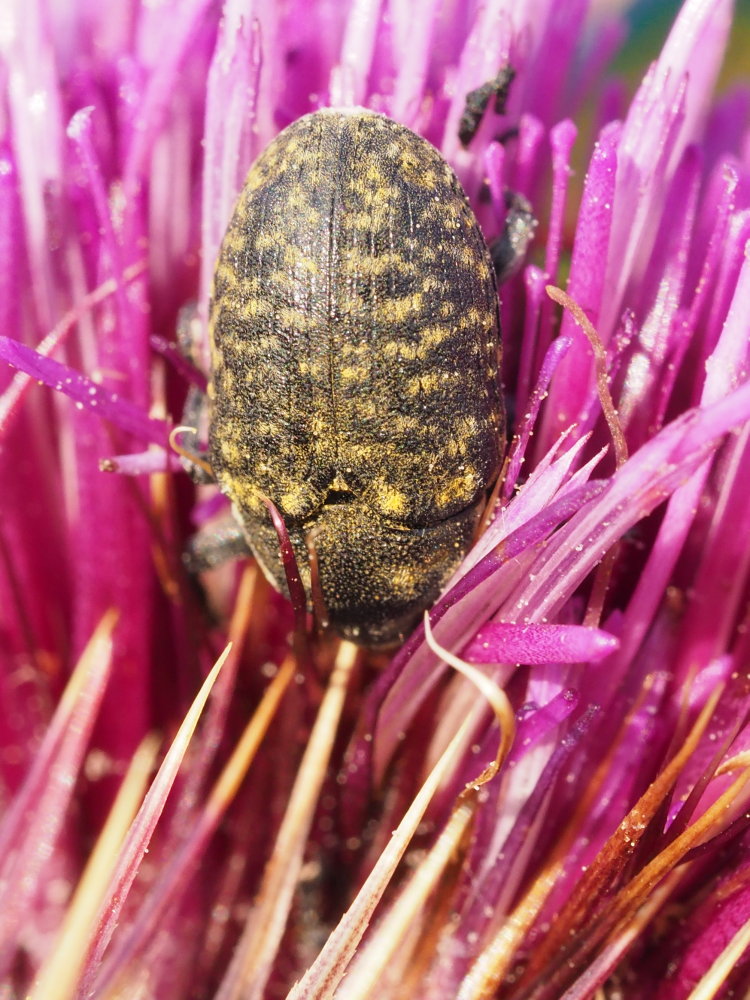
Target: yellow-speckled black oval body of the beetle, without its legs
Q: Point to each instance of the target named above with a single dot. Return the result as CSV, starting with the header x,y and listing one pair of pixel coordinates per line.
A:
x,y
355,351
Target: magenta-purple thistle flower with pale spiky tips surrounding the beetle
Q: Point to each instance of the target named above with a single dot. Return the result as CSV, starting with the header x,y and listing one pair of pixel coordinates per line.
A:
x,y
544,792
